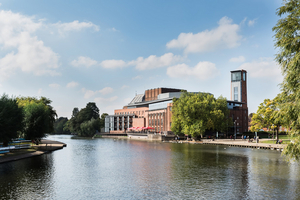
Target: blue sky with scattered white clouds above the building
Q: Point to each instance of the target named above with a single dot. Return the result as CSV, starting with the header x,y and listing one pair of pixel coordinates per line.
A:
x,y
75,52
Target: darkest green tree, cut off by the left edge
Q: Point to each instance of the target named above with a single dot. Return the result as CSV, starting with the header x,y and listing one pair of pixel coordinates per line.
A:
x,y
11,119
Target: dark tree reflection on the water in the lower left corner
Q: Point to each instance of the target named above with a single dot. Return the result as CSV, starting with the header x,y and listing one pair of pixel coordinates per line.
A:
x,y
27,179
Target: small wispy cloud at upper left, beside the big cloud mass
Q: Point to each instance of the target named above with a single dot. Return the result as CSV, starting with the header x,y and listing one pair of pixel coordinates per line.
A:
x,y
74,26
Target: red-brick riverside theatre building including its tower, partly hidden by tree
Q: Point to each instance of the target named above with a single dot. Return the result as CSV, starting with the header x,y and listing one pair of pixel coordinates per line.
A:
x,y
154,108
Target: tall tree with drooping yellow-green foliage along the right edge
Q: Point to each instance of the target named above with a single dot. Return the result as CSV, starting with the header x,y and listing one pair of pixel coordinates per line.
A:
x,y
287,34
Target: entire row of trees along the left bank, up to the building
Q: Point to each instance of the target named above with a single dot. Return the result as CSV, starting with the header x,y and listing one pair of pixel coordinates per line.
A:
x,y
31,118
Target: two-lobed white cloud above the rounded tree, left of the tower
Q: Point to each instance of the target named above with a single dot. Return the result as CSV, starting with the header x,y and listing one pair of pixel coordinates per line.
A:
x,y
202,71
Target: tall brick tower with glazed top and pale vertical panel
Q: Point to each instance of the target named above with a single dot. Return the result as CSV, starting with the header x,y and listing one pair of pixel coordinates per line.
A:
x,y
239,113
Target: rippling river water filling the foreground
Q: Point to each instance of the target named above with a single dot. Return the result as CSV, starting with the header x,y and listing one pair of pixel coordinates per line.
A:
x,y
128,169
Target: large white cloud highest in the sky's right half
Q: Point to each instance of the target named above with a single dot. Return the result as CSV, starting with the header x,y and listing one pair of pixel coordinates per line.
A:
x,y
225,36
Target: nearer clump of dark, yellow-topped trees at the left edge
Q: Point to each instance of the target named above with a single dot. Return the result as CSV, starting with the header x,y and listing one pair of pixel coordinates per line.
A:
x,y
25,117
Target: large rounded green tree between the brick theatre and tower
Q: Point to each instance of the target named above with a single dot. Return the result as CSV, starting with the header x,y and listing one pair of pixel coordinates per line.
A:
x,y
193,114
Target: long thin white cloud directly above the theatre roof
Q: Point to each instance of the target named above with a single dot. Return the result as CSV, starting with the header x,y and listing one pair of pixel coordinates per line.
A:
x,y
141,63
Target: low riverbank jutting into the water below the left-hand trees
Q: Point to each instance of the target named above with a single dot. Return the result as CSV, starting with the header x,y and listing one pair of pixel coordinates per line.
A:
x,y
46,146
